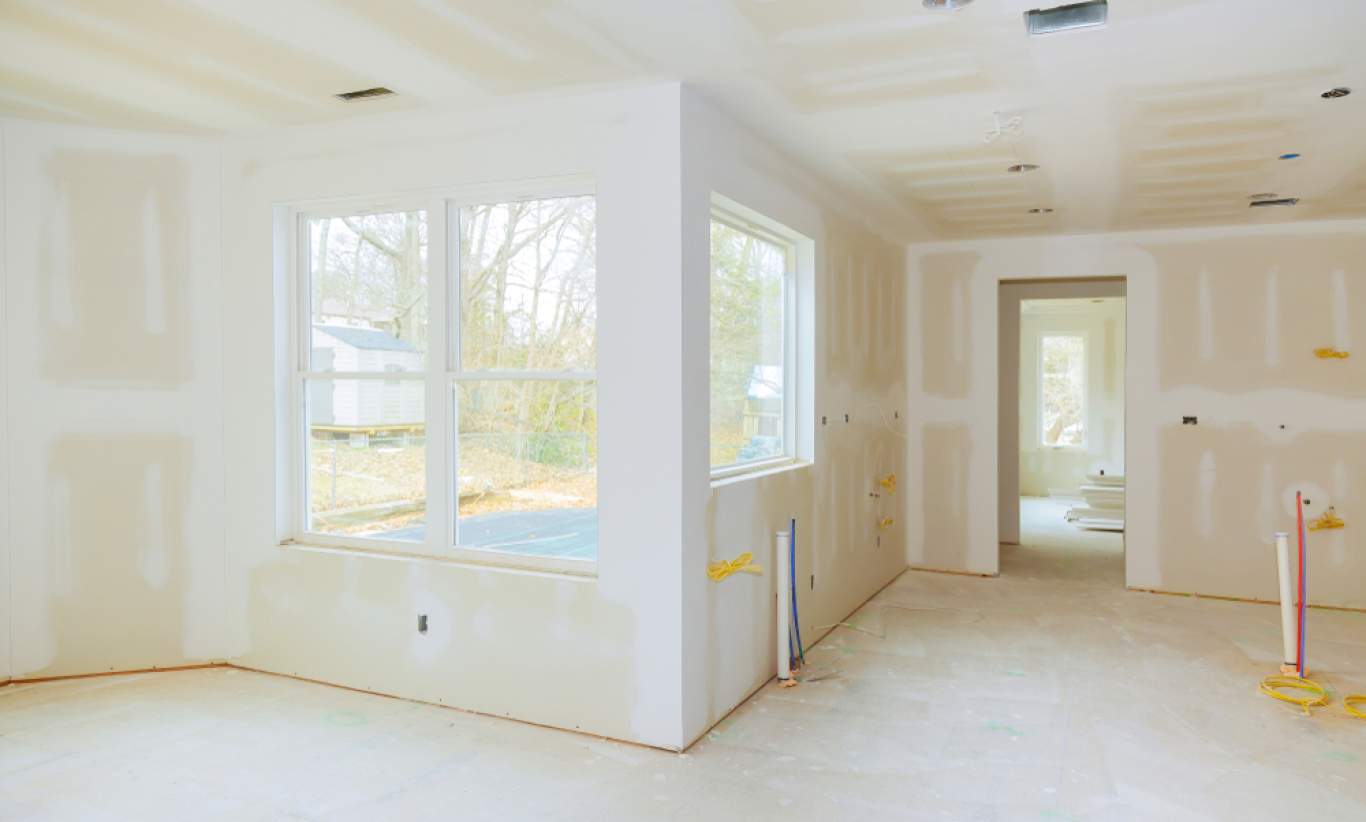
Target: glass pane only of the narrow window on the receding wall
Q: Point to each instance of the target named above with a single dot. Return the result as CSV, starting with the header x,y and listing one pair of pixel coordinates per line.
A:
x,y
748,350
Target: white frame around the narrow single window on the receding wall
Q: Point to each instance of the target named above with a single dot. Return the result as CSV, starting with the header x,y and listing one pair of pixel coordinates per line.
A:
x,y
768,231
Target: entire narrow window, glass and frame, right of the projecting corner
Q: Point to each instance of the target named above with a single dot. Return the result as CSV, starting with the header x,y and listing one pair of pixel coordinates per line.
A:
x,y
753,349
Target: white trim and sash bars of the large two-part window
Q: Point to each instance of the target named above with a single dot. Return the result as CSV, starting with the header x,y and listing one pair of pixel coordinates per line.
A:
x,y
442,376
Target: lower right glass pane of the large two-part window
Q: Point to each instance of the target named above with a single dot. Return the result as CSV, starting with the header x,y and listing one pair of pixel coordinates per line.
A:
x,y
528,468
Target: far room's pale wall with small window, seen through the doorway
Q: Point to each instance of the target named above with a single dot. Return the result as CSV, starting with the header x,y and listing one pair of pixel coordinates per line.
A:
x,y
1048,469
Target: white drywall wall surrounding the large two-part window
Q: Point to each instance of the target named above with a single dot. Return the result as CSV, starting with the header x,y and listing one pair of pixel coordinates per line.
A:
x,y
596,655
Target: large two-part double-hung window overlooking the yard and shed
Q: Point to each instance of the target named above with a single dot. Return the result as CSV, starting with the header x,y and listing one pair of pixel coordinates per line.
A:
x,y
446,384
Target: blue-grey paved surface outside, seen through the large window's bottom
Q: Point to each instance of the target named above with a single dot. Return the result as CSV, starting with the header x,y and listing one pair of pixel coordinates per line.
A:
x,y
568,533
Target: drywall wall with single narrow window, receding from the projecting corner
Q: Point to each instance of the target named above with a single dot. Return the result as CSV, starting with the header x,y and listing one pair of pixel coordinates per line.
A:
x,y
852,349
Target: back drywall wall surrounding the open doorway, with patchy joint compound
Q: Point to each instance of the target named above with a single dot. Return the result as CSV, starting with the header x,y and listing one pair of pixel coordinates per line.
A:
x,y
1222,327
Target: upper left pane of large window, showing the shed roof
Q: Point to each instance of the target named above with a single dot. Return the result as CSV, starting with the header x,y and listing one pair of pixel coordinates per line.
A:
x,y
370,281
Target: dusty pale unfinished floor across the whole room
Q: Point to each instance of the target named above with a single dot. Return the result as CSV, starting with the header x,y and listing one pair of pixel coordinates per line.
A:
x,y
1031,697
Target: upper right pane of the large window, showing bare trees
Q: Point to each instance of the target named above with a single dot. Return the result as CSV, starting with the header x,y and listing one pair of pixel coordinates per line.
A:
x,y
528,275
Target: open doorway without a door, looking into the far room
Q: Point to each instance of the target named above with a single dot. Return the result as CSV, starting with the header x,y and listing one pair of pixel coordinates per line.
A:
x,y
1062,429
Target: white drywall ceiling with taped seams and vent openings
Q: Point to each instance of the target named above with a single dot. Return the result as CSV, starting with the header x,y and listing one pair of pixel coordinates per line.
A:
x,y
1170,117
